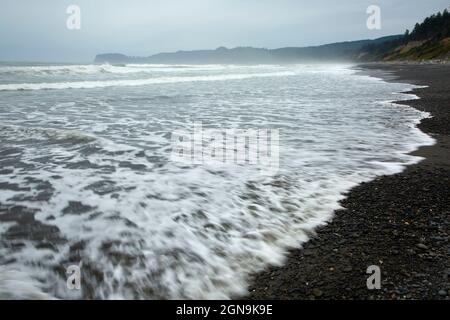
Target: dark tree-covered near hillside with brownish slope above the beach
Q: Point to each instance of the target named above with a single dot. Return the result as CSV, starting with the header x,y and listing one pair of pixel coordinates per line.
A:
x,y
430,40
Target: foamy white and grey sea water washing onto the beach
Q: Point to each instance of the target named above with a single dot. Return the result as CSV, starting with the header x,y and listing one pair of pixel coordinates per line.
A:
x,y
86,176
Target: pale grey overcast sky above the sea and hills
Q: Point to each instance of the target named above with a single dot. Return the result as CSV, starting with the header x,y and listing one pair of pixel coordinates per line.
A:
x,y
35,30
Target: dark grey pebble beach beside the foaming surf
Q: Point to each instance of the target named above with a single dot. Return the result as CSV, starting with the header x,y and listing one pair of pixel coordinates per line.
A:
x,y
398,222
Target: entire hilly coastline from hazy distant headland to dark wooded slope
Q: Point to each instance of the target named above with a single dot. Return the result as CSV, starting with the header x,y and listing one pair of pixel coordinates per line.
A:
x,y
430,40
